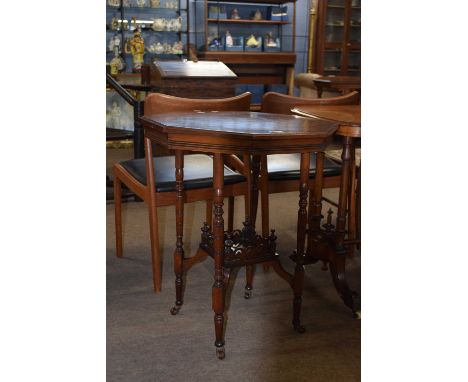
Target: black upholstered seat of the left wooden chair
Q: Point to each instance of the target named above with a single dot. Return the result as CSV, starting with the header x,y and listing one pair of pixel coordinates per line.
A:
x,y
198,172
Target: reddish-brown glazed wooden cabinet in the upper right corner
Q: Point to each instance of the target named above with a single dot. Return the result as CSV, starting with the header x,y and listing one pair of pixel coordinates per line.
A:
x,y
338,38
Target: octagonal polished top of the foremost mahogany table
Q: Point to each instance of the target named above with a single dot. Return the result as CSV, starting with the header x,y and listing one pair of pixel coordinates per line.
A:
x,y
238,132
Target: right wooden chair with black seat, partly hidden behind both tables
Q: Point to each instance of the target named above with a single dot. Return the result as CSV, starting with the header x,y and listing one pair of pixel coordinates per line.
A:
x,y
280,172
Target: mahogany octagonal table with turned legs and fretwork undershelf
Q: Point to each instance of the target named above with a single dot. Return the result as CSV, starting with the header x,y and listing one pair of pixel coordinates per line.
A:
x,y
244,133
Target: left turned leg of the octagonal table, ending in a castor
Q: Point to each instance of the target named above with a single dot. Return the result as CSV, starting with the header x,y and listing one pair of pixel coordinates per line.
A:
x,y
179,251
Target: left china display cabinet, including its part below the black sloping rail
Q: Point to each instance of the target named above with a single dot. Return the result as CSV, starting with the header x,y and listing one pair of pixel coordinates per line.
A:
x,y
162,25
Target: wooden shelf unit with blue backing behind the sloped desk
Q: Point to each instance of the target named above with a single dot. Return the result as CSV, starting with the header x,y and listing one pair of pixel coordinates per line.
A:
x,y
255,39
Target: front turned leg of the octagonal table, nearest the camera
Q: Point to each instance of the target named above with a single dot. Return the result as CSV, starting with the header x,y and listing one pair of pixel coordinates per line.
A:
x,y
218,290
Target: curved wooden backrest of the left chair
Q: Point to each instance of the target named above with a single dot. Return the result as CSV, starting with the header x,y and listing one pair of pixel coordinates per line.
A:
x,y
157,103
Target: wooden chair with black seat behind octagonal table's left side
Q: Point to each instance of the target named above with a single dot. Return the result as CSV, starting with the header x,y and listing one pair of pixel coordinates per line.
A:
x,y
154,181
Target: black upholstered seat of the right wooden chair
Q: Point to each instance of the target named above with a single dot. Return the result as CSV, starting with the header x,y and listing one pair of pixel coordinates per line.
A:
x,y
286,167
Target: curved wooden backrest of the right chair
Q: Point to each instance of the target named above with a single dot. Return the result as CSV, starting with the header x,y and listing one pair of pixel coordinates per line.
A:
x,y
282,104
